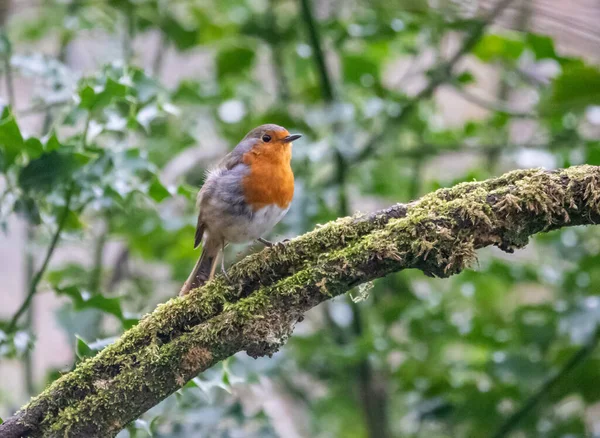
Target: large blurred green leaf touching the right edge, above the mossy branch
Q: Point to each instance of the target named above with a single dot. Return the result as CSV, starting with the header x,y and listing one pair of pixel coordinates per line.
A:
x,y
574,90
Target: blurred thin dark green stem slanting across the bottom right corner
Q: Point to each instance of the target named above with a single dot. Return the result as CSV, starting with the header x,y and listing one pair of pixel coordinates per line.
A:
x,y
580,356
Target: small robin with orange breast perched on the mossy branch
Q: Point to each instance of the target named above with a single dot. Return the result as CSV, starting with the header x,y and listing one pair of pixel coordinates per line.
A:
x,y
243,197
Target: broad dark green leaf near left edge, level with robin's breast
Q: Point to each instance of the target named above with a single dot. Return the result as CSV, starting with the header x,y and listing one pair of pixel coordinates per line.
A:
x,y
46,172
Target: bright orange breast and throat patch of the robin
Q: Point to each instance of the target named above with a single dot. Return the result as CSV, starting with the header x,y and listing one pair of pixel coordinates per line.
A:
x,y
270,180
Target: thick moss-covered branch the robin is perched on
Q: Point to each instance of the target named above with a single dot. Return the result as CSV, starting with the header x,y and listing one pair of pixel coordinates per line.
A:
x,y
270,291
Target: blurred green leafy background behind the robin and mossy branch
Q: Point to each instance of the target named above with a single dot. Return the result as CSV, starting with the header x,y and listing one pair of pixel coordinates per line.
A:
x,y
112,110
